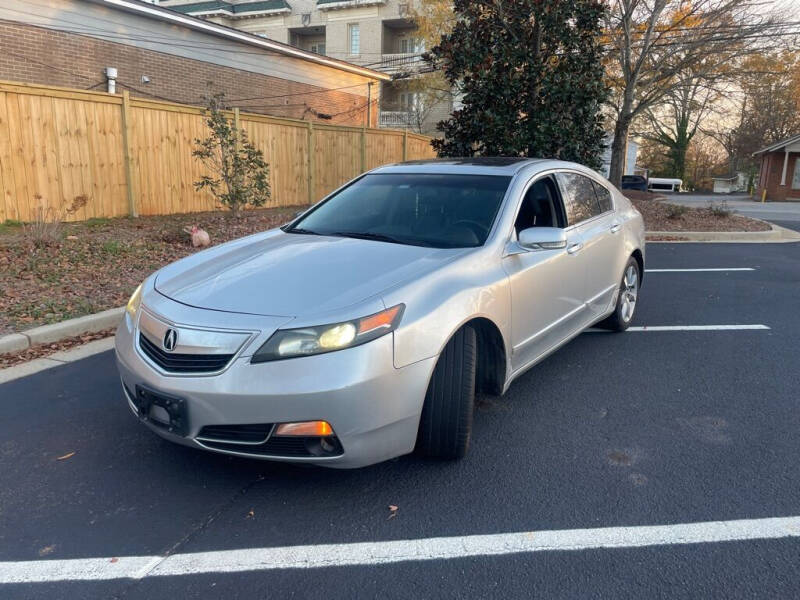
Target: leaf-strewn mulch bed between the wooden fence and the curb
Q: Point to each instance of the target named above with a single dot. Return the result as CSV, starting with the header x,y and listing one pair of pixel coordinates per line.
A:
x,y
96,264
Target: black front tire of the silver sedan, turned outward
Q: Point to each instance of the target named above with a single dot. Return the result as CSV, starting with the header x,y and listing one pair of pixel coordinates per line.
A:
x,y
446,422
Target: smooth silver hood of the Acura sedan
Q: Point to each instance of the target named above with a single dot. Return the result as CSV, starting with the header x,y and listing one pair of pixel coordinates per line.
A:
x,y
281,274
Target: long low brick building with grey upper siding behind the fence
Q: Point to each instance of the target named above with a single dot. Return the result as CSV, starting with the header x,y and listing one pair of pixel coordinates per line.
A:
x,y
155,52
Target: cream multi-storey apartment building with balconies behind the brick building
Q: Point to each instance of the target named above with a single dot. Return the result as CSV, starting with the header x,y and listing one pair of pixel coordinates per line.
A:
x,y
379,34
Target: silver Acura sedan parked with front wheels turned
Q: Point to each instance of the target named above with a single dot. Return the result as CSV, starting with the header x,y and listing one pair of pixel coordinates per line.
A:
x,y
363,329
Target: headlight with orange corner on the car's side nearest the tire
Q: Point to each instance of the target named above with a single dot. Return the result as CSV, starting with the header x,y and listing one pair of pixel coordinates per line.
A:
x,y
305,341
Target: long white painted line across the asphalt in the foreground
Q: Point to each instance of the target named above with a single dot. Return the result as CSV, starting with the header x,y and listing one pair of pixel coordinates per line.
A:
x,y
379,553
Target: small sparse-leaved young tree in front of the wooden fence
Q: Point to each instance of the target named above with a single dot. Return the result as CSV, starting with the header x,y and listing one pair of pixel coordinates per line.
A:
x,y
238,174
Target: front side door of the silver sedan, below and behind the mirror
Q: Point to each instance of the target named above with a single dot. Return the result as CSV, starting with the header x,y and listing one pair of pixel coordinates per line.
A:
x,y
547,286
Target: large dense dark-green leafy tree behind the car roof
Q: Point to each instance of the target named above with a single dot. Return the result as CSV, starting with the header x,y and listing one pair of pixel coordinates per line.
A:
x,y
530,76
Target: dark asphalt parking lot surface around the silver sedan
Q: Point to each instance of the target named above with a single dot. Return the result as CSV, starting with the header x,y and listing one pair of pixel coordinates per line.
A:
x,y
614,433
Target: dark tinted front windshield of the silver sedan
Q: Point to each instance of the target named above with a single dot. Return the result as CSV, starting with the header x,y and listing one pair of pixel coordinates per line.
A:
x,y
442,211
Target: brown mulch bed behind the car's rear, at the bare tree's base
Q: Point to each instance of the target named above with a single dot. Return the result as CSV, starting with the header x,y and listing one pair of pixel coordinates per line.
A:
x,y
660,215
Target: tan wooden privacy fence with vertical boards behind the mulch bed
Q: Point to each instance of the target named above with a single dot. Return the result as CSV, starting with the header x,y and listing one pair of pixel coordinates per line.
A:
x,y
133,156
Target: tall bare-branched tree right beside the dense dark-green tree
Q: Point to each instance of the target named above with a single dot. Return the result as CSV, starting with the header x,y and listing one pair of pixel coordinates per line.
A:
x,y
656,42
